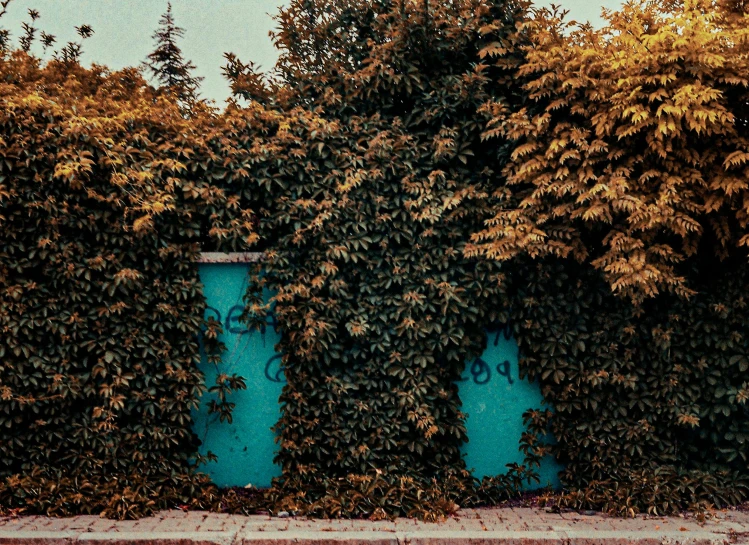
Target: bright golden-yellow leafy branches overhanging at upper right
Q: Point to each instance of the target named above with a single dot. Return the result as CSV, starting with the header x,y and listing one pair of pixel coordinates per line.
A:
x,y
632,152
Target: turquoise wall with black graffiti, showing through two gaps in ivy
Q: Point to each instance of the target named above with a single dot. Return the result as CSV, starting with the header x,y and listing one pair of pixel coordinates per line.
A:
x,y
493,396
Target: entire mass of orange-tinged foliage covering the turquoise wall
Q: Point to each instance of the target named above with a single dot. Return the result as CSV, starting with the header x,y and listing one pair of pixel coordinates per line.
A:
x,y
418,171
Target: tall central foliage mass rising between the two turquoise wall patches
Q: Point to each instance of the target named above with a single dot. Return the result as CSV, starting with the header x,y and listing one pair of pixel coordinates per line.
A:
x,y
376,175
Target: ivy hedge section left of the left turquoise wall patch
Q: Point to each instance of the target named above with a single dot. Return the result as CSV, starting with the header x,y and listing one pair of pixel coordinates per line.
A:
x,y
100,302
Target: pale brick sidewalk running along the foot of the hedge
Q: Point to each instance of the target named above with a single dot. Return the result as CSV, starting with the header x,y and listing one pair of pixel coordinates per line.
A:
x,y
474,527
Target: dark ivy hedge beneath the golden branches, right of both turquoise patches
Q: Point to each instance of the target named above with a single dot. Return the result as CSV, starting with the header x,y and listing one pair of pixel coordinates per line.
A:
x,y
649,403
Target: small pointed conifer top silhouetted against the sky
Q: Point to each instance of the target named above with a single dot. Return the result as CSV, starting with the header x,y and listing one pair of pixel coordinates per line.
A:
x,y
167,65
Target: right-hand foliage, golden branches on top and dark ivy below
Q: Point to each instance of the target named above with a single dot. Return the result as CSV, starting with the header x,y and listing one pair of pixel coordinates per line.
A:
x,y
629,176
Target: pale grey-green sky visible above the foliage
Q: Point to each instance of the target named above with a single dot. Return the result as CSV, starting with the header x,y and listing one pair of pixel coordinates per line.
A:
x,y
123,29
